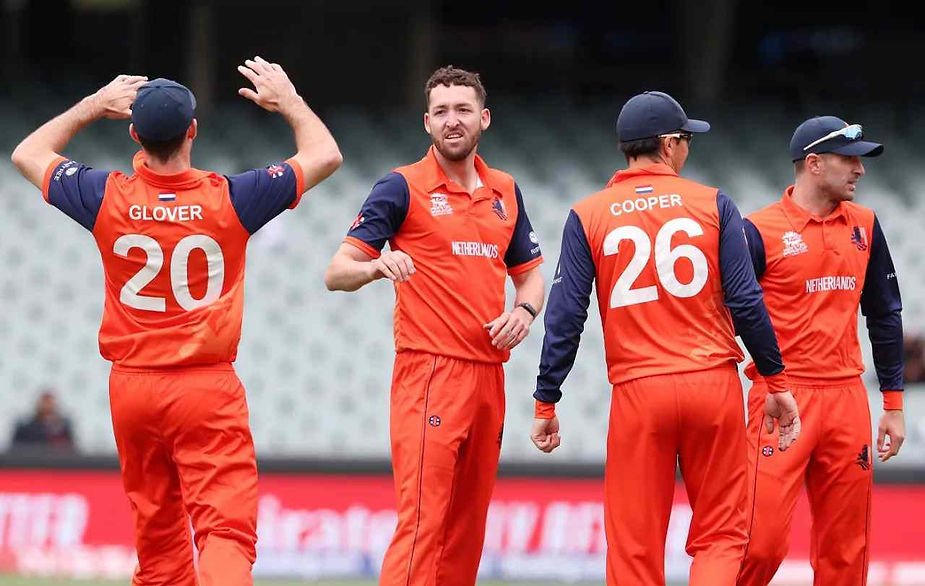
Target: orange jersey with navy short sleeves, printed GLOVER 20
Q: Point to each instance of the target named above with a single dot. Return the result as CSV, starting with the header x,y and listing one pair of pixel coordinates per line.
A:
x,y
173,253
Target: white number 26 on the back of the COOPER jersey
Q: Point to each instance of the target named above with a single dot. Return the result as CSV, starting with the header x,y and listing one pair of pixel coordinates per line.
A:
x,y
665,258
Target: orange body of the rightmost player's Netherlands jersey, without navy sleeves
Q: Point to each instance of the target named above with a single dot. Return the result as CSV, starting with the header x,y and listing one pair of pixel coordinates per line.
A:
x,y
813,277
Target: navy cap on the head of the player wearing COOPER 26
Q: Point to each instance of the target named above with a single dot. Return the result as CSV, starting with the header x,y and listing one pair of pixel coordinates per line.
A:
x,y
652,113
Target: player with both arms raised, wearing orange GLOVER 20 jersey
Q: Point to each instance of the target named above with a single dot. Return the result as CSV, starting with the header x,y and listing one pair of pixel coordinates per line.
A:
x,y
172,240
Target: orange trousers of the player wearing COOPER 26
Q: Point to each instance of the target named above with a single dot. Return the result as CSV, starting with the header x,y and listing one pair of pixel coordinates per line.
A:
x,y
694,419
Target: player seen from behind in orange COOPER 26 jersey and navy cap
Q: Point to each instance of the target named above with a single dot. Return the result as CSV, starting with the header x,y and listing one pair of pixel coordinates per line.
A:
x,y
674,286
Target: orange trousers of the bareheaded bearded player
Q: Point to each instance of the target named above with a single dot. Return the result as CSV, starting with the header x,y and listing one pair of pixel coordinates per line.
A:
x,y
447,417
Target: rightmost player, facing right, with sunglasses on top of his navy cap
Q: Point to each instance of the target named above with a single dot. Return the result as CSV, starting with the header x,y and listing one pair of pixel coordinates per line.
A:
x,y
819,257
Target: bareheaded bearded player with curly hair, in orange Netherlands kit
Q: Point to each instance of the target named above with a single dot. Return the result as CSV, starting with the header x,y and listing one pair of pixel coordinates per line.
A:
x,y
456,229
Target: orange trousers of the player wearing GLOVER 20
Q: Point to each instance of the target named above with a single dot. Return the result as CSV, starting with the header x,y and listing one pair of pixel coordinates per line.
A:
x,y
186,454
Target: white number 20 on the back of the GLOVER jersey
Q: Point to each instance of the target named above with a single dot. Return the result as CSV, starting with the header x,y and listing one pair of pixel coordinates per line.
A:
x,y
179,280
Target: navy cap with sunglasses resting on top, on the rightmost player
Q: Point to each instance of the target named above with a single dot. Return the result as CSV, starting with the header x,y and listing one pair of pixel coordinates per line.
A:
x,y
830,134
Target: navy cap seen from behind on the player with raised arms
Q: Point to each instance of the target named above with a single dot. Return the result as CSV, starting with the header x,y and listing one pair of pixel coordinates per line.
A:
x,y
163,110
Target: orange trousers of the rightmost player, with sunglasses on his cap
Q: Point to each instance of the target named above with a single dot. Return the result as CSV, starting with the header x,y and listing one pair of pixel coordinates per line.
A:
x,y
834,458
